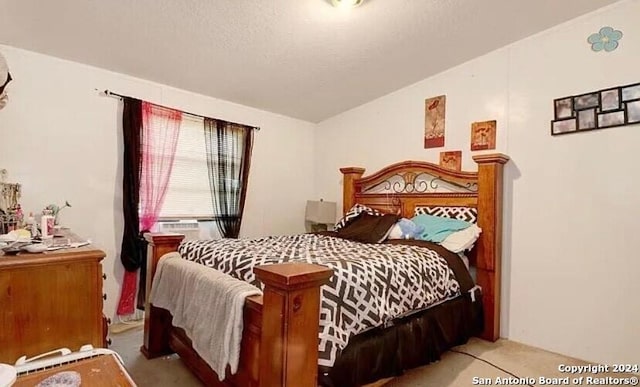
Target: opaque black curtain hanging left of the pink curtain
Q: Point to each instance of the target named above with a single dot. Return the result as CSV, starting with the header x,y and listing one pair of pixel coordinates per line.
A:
x,y
132,250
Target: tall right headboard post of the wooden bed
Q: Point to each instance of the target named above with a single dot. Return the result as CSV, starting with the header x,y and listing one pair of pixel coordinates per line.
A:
x,y
489,245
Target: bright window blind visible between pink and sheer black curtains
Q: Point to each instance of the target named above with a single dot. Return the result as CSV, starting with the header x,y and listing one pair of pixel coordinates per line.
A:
x,y
188,193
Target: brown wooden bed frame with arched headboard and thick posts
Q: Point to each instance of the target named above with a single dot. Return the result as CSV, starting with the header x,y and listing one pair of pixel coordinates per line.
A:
x,y
280,337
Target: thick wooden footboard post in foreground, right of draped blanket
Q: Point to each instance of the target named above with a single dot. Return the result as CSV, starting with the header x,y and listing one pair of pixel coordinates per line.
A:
x,y
290,322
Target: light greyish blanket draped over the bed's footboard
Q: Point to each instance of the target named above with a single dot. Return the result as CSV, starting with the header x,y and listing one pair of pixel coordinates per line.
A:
x,y
207,304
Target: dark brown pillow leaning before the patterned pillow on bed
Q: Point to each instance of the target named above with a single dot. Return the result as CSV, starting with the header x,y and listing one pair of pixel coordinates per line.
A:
x,y
368,228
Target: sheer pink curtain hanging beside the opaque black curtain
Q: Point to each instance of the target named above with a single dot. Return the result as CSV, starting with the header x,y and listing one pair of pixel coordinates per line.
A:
x,y
160,128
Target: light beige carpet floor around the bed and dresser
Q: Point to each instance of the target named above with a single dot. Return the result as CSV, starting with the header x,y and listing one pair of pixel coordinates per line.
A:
x,y
454,369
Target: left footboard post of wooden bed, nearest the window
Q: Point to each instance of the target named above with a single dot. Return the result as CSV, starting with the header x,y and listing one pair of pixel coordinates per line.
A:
x,y
157,321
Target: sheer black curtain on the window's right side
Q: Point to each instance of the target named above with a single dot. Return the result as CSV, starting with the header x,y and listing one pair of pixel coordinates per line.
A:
x,y
229,149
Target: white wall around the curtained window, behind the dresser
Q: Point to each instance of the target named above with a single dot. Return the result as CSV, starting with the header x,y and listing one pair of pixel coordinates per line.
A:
x,y
62,141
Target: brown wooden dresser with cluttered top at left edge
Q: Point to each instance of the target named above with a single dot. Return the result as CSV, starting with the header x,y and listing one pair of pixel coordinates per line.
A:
x,y
50,301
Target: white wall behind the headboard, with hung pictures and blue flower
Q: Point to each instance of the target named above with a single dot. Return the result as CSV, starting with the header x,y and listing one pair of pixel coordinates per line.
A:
x,y
572,203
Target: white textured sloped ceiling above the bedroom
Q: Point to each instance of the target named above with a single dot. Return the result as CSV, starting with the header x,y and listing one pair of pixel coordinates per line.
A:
x,y
300,58
